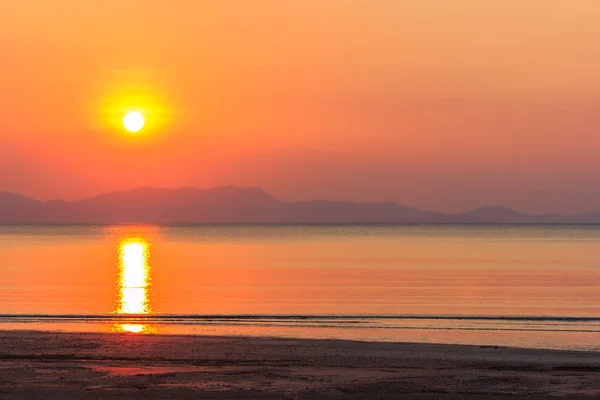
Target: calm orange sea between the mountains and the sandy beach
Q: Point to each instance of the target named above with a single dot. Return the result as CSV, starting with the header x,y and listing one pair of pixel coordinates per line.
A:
x,y
531,286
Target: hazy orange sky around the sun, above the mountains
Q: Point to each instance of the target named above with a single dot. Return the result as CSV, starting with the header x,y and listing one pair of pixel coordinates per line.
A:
x,y
443,105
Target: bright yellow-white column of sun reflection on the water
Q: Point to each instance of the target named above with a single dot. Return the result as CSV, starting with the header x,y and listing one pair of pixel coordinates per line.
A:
x,y
133,282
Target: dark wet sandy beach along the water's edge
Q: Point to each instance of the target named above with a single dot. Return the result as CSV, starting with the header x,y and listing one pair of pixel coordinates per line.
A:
x,y
109,366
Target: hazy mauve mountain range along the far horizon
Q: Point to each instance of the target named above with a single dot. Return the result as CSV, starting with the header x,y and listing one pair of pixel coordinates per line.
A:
x,y
231,204
